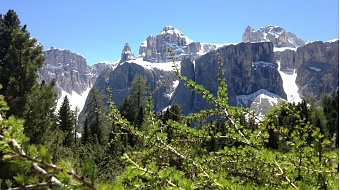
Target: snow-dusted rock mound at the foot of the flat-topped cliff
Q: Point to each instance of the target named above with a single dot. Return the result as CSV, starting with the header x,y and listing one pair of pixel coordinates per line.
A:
x,y
246,100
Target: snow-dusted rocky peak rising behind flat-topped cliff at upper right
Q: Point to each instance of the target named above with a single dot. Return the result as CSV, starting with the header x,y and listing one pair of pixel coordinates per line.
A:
x,y
275,34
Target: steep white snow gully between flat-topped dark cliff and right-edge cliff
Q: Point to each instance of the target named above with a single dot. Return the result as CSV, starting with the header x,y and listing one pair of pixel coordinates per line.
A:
x,y
288,78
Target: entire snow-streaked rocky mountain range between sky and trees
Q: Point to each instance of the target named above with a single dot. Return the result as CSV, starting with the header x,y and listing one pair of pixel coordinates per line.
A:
x,y
254,69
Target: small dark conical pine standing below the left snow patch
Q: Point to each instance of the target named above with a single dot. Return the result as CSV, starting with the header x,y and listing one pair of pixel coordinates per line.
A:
x,y
66,122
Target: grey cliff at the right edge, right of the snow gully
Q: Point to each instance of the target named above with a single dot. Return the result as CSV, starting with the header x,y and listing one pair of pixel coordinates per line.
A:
x,y
317,68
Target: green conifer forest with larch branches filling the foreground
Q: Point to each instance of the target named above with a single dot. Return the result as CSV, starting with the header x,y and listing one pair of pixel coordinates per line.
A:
x,y
130,146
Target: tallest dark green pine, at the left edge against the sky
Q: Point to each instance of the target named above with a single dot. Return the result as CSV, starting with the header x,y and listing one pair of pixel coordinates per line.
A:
x,y
20,57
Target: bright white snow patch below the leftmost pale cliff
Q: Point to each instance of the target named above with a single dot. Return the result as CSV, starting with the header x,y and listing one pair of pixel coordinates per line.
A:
x,y
75,99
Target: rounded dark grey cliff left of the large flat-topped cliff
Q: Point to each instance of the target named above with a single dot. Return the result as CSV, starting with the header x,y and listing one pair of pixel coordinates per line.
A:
x,y
121,77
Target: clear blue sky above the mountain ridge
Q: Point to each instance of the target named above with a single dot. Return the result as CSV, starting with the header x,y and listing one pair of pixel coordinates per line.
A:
x,y
99,29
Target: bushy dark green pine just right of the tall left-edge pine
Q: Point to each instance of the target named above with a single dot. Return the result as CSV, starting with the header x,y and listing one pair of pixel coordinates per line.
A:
x,y
39,112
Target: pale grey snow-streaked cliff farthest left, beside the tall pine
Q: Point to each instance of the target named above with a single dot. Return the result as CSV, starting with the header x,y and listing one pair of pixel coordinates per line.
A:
x,y
70,71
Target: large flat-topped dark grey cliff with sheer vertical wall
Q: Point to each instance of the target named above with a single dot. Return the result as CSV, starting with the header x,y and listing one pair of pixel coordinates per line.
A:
x,y
248,67
